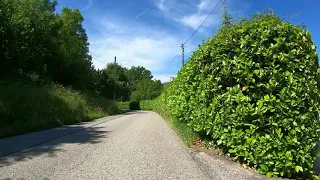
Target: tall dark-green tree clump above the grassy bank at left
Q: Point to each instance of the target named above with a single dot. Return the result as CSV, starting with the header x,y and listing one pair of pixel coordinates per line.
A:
x,y
37,42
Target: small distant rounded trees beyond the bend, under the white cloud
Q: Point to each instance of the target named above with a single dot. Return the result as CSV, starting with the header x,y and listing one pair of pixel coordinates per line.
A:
x,y
134,83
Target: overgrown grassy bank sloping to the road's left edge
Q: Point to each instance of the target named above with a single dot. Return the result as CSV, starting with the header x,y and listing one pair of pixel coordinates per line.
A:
x,y
27,108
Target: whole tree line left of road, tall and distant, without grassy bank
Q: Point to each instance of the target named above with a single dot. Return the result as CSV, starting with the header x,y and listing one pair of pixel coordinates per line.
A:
x,y
43,46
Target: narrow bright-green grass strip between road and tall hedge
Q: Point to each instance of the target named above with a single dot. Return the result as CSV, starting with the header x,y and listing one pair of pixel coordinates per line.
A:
x,y
185,132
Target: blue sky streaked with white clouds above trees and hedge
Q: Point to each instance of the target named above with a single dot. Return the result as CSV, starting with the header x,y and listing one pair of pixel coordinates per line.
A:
x,y
150,32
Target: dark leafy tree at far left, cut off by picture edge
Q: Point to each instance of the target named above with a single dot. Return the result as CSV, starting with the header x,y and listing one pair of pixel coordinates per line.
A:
x,y
29,30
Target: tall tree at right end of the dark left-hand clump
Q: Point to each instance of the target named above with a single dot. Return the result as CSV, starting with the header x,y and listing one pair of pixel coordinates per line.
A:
x,y
75,62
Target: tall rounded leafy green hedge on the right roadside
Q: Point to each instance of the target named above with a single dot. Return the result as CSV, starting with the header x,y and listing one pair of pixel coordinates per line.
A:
x,y
254,88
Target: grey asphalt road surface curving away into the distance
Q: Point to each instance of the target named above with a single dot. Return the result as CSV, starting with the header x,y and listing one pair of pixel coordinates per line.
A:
x,y
138,145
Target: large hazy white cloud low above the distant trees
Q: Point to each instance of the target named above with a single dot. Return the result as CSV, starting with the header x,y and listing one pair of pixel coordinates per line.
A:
x,y
141,46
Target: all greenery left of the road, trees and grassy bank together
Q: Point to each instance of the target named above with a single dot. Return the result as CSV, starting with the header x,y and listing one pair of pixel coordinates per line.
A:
x,y
46,73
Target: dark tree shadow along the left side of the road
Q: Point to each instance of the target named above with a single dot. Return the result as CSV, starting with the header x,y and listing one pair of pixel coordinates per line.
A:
x,y
49,142
